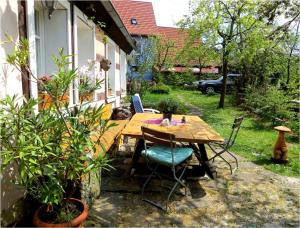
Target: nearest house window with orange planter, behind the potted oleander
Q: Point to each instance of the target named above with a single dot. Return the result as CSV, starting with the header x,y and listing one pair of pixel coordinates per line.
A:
x,y
49,35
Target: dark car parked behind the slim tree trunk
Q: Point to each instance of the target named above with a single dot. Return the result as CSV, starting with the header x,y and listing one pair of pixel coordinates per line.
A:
x,y
213,86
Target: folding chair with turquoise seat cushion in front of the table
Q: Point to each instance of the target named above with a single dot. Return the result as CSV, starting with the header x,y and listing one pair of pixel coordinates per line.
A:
x,y
165,153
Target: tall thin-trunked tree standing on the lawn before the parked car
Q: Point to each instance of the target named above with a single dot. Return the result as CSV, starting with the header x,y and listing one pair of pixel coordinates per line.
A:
x,y
221,22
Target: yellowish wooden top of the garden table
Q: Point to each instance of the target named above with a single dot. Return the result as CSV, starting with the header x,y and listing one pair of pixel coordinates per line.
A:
x,y
195,130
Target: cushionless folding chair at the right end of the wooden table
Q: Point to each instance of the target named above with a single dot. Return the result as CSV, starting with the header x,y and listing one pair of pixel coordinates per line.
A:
x,y
220,148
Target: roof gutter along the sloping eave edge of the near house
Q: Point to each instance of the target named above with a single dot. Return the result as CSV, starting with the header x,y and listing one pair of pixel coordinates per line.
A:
x,y
115,16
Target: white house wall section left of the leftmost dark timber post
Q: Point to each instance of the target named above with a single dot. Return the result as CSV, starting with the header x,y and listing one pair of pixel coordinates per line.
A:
x,y
10,84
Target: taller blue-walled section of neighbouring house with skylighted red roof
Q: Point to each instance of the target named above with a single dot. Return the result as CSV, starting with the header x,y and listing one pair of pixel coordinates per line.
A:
x,y
139,20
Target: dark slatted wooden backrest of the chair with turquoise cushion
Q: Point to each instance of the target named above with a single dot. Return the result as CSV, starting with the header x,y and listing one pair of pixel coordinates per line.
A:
x,y
158,137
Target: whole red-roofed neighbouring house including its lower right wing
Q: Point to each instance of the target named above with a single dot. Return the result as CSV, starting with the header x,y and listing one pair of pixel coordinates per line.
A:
x,y
139,19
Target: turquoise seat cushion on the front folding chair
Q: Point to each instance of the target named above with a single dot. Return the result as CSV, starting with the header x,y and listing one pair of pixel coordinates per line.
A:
x,y
163,155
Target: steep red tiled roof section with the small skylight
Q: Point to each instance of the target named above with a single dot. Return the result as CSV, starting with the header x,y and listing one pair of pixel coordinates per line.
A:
x,y
141,11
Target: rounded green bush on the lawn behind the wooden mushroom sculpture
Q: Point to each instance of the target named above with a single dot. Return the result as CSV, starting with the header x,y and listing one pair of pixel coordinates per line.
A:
x,y
270,104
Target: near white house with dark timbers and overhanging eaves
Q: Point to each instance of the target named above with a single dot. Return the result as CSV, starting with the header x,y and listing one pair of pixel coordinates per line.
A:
x,y
67,27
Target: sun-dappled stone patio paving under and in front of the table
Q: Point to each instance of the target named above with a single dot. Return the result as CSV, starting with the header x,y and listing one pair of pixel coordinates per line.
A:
x,y
252,197
